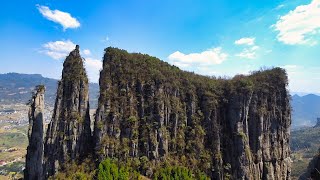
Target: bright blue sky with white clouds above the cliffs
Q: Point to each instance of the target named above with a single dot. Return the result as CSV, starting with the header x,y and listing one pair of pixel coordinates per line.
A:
x,y
219,38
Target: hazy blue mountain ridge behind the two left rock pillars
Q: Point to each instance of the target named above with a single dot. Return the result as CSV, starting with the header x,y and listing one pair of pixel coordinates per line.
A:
x,y
17,88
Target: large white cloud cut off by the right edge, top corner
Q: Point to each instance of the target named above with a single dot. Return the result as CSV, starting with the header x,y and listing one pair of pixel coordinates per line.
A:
x,y
300,25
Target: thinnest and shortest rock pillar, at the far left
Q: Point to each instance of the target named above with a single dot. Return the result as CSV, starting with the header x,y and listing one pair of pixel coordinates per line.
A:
x,y
33,169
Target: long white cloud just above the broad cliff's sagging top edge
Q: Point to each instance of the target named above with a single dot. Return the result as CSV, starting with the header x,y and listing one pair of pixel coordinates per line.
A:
x,y
208,57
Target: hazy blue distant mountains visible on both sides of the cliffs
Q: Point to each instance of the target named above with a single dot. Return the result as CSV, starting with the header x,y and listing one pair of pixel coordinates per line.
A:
x,y
17,88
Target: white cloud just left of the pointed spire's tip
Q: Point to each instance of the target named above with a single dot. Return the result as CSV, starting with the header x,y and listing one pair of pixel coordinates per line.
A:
x,y
58,49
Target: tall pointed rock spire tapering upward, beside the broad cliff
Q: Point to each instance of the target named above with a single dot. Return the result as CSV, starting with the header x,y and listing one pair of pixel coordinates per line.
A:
x,y
68,135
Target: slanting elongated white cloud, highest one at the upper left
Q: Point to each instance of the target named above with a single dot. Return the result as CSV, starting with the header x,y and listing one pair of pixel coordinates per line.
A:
x,y
62,18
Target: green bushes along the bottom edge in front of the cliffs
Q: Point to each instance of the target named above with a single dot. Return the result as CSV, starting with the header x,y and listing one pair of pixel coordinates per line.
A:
x,y
112,169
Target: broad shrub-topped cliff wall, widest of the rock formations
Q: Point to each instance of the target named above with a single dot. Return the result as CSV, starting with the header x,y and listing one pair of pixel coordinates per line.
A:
x,y
236,129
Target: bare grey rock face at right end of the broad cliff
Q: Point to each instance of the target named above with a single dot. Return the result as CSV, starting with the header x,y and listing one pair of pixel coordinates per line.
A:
x,y
260,122
